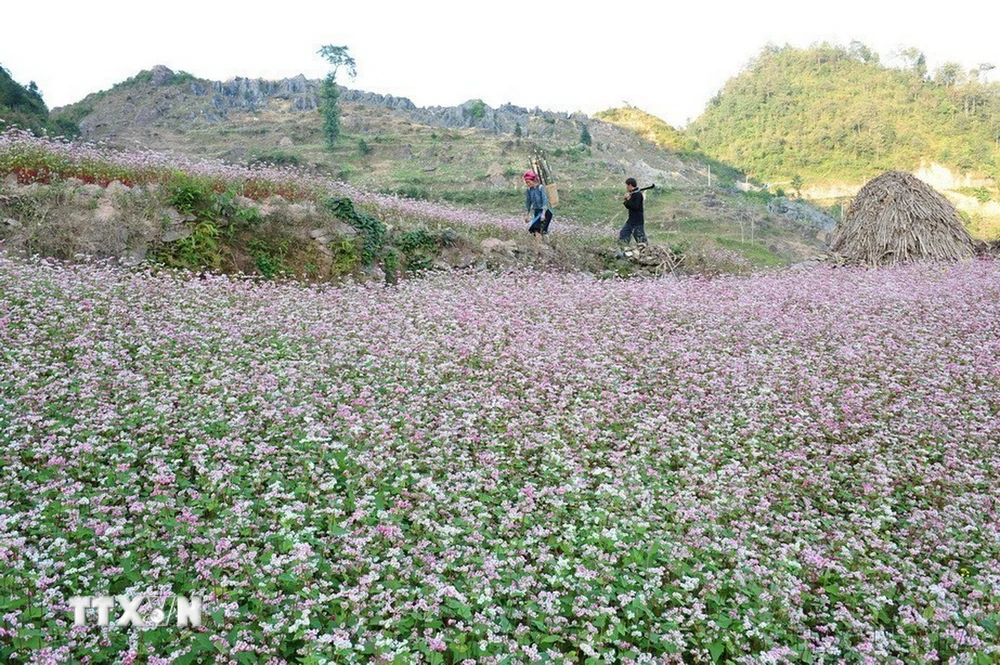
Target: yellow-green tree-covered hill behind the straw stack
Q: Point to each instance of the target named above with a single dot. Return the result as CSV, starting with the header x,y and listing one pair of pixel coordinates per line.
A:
x,y
831,113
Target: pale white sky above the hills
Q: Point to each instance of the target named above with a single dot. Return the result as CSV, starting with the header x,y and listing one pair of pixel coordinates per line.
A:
x,y
666,58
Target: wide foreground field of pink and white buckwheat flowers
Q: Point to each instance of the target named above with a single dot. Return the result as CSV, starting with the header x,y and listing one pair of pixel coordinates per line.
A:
x,y
788,467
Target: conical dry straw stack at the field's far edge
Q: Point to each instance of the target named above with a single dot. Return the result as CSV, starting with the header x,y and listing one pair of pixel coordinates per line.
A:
x,y
897,218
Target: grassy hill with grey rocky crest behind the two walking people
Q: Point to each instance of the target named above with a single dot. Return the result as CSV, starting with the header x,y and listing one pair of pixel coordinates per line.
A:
x,y
471,156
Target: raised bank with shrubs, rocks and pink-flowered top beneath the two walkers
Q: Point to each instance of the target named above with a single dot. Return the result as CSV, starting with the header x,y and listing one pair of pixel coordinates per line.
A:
x,y
73,200
